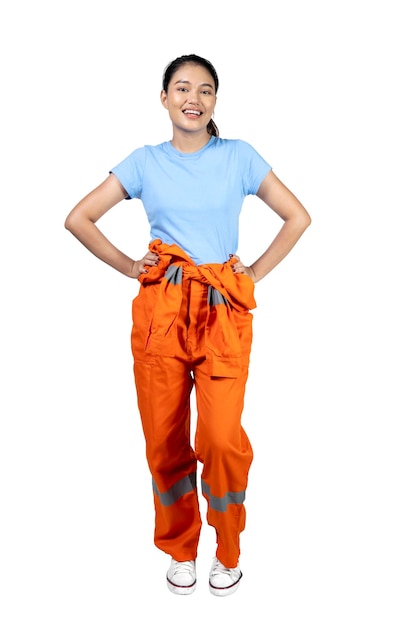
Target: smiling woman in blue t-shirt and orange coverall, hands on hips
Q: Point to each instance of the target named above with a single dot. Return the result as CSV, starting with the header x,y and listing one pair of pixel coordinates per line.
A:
x,y
191,318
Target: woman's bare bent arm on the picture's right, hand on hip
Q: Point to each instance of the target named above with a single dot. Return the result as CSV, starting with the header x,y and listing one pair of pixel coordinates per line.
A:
x,y
296,220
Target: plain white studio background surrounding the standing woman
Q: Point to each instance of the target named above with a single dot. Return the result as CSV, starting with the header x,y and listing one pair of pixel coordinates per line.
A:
x,y
325,91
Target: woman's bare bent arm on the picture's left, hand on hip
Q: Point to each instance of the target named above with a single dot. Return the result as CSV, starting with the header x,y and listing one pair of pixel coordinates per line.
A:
x,y
81,222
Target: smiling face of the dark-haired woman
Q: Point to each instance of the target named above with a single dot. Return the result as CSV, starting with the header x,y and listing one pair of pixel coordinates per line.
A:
x,y
190,98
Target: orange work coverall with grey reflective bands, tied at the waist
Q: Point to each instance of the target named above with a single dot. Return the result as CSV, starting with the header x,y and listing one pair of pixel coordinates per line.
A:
x,y
192,328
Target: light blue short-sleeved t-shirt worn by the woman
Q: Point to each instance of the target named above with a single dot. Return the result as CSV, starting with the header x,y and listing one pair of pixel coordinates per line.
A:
x,y
194,199
